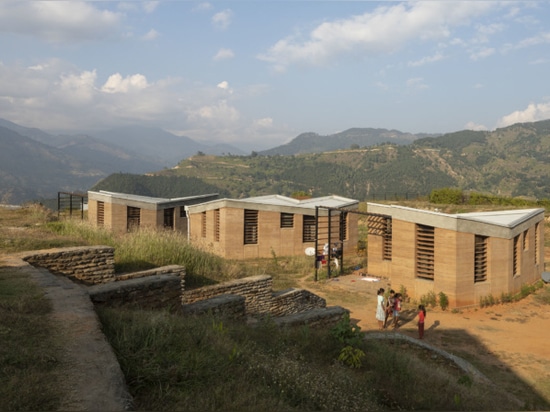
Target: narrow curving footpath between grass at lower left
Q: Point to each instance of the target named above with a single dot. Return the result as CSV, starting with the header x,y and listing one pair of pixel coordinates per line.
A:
x,y
91,376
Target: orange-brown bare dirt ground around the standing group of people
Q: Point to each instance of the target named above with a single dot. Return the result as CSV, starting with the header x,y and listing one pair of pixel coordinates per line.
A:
x,y
508,343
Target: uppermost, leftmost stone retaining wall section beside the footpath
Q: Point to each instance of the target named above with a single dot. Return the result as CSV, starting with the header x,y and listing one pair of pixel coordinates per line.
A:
x,y
90,264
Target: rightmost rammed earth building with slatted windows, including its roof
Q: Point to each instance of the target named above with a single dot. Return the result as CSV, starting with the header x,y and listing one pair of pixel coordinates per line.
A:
x,y
467,256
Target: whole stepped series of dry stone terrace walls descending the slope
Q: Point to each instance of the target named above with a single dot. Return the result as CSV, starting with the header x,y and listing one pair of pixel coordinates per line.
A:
x,y
165,287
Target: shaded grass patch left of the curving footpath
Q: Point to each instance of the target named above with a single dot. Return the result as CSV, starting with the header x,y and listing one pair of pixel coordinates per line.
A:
x,y
28,348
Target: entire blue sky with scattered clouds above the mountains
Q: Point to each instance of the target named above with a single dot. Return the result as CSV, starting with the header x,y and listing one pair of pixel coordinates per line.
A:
x,y
262,72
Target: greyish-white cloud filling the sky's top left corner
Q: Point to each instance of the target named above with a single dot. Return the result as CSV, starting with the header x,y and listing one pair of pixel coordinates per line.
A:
x,y
58,22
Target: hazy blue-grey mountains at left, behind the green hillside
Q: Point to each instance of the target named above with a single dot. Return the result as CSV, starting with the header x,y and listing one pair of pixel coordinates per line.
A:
x,y
35,165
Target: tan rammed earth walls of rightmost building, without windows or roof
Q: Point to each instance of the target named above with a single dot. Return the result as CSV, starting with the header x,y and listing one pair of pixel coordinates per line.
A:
x,y
454,254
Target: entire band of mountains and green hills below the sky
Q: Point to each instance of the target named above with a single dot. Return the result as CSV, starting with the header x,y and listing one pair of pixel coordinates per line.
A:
x,y
36,165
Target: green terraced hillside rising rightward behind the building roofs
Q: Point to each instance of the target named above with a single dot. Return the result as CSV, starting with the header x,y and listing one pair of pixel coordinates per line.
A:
x,y
512,161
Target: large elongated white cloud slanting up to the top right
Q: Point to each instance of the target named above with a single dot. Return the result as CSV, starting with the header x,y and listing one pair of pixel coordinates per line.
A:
x,y
384,31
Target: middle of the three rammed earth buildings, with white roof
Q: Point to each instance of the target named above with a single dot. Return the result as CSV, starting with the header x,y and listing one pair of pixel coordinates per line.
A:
x,y
273,225
